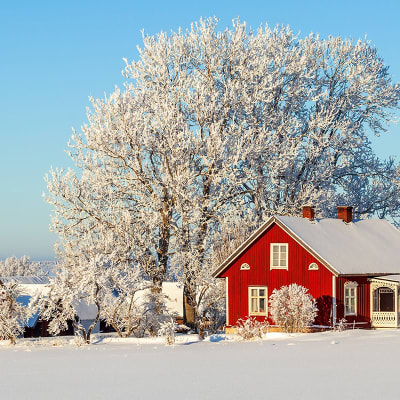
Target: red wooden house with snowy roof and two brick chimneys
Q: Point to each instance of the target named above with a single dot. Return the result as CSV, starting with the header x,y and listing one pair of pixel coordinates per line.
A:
x,y
351,268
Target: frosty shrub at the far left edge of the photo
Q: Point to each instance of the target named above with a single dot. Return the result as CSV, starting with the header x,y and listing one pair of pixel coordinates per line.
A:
x,y
13,314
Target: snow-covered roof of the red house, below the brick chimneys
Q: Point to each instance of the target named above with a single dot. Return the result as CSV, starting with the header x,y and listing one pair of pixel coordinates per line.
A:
x,y
364,247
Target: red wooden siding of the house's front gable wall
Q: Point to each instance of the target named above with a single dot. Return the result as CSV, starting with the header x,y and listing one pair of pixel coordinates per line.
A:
x,y
257,256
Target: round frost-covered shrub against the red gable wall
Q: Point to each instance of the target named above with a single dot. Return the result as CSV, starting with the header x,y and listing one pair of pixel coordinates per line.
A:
x,y
292,308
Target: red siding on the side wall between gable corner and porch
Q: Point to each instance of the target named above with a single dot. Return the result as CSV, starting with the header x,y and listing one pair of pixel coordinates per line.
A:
x,y
363,300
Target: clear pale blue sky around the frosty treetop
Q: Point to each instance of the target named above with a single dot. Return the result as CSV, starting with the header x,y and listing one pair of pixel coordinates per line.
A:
x,y
54,54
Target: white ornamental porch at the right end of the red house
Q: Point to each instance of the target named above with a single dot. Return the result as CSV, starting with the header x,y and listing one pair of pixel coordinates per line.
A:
x,y
384,300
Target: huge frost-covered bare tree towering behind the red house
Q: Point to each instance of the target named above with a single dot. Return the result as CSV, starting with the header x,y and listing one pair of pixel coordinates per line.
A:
x,y
218,126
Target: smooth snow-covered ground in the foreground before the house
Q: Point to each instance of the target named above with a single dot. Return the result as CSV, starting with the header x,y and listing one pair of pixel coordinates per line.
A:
x,y
346,365
